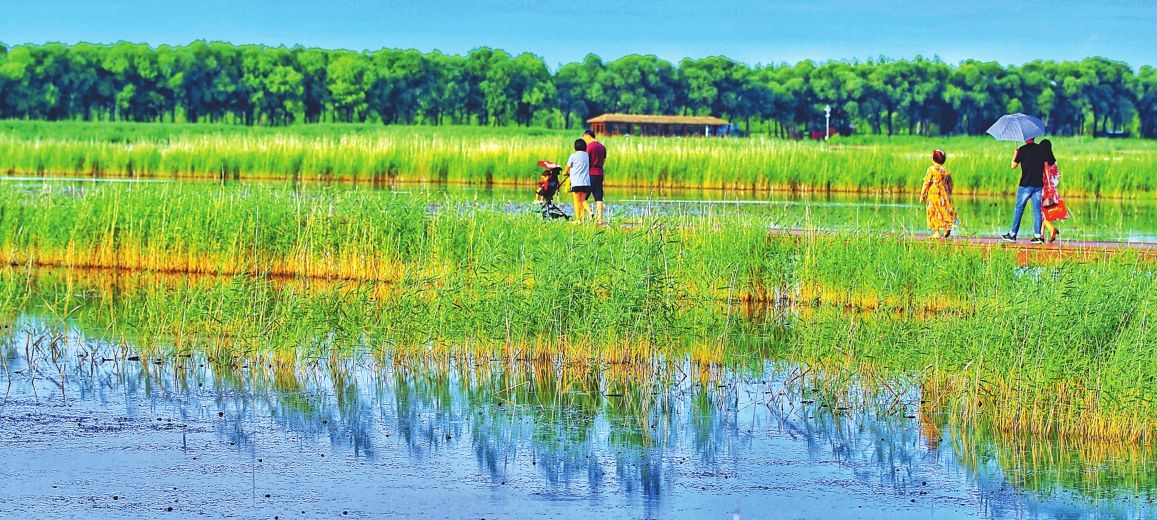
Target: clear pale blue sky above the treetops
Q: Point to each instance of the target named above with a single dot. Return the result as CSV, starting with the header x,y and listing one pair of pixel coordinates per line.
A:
x,y
750,32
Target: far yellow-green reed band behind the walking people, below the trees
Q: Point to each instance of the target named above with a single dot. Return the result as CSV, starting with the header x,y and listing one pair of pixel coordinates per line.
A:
x,y
1093,169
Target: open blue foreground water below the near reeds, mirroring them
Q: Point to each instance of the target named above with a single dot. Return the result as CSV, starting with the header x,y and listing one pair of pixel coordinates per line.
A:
x,y
100,435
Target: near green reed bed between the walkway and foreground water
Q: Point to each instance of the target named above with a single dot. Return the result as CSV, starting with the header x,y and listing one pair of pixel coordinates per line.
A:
x,y
1060,349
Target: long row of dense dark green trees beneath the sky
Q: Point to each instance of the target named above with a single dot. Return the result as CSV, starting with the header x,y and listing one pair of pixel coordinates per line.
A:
x,y
250,85
